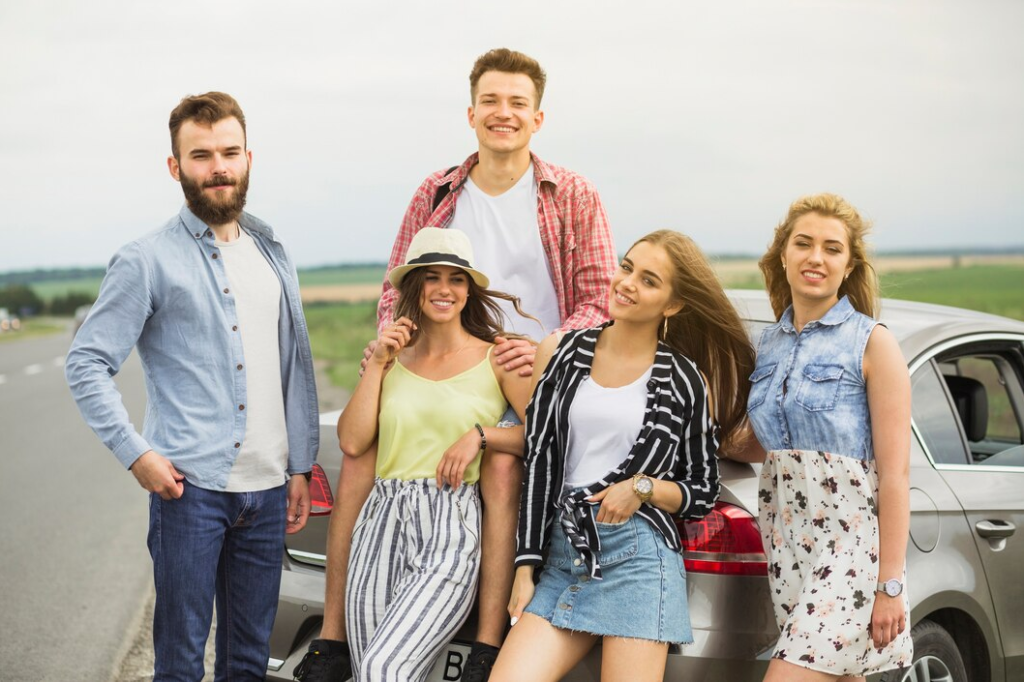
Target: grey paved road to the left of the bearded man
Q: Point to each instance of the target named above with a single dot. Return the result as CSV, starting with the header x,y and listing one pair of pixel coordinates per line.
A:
x,y
74,568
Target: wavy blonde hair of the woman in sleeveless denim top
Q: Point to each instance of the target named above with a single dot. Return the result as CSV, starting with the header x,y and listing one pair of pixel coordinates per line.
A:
x,y
862,286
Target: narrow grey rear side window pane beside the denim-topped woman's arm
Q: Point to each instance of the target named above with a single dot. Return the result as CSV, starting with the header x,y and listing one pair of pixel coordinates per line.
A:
x,y
934,418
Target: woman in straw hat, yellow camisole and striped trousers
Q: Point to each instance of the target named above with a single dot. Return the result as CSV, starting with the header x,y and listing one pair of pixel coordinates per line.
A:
x,y
428,390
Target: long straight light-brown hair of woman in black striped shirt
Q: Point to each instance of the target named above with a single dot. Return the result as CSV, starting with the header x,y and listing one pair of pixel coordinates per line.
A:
x,y
708,329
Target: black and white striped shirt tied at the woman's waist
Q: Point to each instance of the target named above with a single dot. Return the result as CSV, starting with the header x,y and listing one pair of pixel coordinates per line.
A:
x,y
678,443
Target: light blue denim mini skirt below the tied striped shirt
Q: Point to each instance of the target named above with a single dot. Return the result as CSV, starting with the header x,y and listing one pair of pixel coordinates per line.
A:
x,y
643,594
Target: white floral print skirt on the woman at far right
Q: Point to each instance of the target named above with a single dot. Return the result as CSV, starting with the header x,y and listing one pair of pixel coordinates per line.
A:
x,y
821,531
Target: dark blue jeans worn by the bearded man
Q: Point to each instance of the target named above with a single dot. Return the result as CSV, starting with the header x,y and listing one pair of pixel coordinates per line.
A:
x,y
208,545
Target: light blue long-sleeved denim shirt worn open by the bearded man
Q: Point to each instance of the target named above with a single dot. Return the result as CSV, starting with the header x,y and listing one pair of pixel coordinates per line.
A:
x,y
168,295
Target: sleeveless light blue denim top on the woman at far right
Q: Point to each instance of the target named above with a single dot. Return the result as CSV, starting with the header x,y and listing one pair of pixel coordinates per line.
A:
x,y
808,391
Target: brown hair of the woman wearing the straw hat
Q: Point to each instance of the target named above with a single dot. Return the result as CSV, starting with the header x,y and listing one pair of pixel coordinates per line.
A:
x,y
482,317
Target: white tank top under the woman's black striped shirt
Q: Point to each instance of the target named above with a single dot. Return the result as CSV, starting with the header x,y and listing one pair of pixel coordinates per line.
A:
x,y
605,424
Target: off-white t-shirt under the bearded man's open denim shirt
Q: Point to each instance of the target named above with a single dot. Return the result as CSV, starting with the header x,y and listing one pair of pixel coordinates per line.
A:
x,y
263,461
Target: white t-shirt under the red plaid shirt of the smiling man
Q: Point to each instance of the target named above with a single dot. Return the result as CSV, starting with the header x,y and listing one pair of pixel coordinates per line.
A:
x,y
507,248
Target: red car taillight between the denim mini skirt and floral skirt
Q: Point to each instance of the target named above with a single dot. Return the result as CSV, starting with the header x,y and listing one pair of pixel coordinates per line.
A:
x,y
726,542
